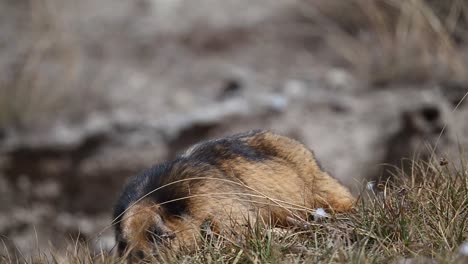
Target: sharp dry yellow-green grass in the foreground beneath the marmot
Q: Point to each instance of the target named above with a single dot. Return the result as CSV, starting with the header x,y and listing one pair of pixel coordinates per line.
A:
x,y
422,216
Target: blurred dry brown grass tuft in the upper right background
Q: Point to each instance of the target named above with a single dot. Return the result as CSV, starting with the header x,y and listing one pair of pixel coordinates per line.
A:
x,y
388,41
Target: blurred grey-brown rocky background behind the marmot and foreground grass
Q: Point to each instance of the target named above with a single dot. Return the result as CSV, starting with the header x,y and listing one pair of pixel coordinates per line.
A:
x,y
92,92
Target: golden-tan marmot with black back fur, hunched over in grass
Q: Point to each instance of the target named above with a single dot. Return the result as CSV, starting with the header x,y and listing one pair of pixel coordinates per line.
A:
x,y
232,180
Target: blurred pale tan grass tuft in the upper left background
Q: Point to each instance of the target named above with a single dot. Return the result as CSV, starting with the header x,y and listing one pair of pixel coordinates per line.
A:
x,y
45,71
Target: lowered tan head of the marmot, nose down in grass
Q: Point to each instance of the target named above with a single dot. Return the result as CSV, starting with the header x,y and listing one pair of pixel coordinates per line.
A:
x,y
143,229
